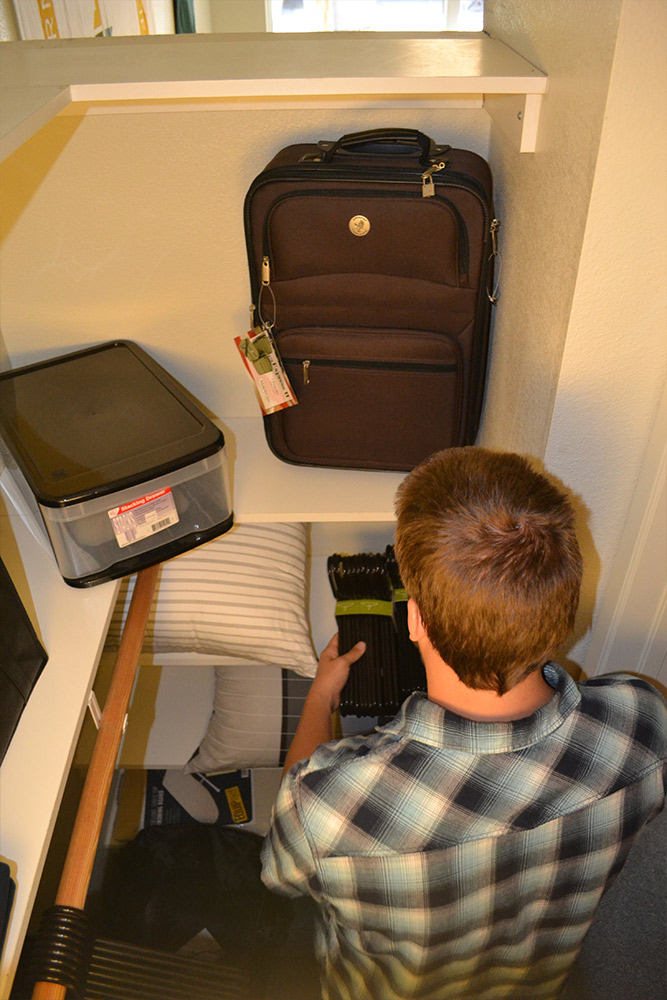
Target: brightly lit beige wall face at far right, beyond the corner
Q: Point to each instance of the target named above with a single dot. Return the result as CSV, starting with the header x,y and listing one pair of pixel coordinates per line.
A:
x,y
615,360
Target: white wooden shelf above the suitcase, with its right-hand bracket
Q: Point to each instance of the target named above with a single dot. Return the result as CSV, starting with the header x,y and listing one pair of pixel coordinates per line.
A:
x,y
79,76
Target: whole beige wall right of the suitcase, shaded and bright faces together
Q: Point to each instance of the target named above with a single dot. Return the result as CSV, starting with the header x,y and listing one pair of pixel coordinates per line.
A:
x,y
578,360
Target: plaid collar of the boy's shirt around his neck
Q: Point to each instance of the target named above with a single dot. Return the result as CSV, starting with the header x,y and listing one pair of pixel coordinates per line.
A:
x,y
427,722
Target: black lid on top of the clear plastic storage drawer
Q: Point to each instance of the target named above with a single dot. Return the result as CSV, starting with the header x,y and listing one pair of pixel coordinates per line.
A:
x,y
100,420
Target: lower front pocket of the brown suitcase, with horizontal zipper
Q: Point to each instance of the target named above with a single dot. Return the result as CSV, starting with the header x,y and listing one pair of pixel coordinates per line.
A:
x,y
379,399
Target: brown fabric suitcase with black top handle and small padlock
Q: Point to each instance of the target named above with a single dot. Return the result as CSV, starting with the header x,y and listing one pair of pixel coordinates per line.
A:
x,y
370,259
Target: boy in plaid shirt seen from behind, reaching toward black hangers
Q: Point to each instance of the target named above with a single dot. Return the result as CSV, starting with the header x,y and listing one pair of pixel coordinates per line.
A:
x,y
462,849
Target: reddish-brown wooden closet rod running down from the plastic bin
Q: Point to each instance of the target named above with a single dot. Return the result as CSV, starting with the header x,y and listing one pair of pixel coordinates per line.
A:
x,y
78,866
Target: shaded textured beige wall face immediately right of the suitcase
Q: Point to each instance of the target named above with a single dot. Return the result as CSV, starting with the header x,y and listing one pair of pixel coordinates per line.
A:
x,y
542,201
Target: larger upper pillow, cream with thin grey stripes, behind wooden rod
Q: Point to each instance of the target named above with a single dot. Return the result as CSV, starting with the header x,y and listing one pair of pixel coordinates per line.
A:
x,y
240,595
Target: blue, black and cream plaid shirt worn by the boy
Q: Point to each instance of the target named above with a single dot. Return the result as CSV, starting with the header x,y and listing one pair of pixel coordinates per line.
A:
x,y
459,859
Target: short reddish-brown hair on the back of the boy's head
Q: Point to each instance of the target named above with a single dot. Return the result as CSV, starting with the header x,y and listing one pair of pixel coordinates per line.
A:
x,y
487,548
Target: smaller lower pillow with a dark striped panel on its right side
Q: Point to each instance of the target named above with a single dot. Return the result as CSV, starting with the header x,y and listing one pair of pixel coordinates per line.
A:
x,y
256,710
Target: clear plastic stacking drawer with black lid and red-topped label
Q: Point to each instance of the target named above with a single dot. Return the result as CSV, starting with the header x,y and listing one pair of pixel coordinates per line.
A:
x,y
121,466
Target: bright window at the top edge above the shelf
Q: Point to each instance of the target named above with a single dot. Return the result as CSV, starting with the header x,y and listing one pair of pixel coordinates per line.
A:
x,y
375,15
